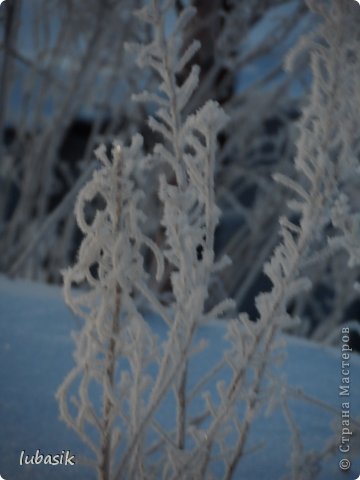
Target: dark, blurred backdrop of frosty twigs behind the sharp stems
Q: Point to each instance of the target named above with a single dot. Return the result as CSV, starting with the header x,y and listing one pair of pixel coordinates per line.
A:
x,y
65,87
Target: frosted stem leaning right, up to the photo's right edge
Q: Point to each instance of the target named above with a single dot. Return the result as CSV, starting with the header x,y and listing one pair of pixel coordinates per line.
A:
x,y
327,160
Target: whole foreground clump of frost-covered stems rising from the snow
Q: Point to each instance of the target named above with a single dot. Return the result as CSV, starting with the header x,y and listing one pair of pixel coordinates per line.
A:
x,y
117,348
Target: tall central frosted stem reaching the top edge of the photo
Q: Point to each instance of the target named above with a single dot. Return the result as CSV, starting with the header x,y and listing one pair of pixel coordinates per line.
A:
x,y
190,213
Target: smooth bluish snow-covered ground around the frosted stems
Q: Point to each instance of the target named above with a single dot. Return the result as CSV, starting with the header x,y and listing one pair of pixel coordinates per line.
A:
x,y
36,353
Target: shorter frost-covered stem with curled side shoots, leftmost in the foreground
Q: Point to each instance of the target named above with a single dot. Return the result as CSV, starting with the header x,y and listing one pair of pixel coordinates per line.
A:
x,y
109,264
